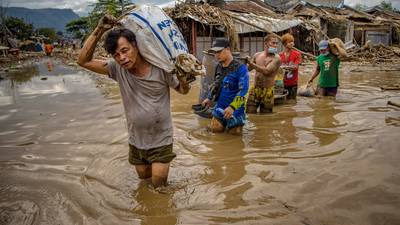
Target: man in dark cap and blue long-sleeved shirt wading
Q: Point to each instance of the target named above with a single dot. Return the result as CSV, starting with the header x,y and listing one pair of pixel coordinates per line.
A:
x,y
231,83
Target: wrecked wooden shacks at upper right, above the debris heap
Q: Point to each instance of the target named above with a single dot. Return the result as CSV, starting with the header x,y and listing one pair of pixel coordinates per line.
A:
x,y
349,24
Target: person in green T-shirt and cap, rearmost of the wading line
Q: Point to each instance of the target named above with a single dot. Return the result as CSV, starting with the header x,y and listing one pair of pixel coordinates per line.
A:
x,y
328,69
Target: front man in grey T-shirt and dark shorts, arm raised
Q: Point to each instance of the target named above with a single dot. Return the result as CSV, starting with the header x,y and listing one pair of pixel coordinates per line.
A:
x,y
145,95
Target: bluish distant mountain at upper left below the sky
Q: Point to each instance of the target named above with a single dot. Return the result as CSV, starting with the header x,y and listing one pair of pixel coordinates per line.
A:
x,y
55,18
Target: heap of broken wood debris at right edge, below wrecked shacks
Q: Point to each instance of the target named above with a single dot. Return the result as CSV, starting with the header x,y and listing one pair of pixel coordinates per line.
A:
x,y
375,53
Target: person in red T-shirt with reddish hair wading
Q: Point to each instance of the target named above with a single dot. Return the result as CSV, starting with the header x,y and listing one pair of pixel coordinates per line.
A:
x,y
290,61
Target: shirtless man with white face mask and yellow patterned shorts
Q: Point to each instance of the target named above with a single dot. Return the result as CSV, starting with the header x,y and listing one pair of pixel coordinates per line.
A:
x,y
267,64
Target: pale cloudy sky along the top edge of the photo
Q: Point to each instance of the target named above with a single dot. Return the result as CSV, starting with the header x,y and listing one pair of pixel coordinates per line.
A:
x,y
81,7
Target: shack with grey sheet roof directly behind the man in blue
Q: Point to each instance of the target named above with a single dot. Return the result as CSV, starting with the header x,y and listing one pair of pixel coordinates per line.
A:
x,y
200,23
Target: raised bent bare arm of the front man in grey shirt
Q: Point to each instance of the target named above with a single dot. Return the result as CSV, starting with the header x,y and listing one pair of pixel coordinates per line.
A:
x,y
85,58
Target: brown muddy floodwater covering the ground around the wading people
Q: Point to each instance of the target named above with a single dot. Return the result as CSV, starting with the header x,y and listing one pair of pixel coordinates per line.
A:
x,y
64,157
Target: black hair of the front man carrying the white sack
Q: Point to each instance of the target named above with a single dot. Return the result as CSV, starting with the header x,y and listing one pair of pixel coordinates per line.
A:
x,y
111,41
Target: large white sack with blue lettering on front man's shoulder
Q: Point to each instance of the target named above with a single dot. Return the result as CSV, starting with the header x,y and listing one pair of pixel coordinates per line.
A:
x,y
161,43
